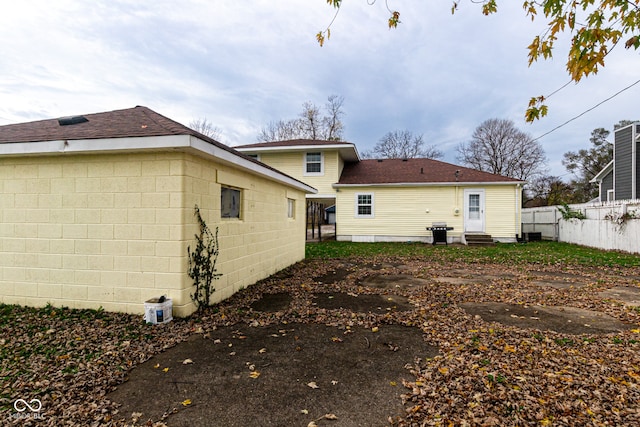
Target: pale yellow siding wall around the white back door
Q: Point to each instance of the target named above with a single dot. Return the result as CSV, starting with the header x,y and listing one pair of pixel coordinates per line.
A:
x,y
403,213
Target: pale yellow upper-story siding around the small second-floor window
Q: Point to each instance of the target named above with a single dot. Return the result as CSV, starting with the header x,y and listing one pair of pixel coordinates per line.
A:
x,y
293,164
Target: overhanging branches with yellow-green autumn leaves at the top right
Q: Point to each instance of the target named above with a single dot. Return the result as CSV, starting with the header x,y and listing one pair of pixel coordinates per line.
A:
x,y
595,28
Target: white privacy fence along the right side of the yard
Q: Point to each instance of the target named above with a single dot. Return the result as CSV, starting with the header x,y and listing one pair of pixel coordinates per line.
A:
x,y
608,225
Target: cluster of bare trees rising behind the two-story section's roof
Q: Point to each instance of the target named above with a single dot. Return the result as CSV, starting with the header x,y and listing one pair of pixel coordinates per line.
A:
x,y
310,124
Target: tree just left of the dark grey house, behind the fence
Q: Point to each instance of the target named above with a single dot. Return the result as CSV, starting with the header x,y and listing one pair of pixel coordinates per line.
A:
x,y
586,163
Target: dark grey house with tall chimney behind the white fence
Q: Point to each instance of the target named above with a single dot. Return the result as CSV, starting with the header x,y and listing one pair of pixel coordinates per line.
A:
x,y
620,180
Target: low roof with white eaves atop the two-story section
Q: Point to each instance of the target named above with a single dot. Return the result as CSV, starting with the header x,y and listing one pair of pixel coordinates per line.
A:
x,y
347,150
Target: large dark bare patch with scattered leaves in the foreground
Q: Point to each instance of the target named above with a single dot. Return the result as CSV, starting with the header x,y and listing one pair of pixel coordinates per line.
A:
x,y
279,375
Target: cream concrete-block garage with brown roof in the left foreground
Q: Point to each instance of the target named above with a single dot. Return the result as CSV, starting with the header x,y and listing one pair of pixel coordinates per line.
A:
x,y
98,211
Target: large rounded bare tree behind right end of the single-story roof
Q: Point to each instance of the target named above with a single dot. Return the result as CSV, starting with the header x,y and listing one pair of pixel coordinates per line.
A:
x,y
497,146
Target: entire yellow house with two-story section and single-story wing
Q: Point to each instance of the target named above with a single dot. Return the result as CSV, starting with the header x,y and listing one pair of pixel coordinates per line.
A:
x,y
397,199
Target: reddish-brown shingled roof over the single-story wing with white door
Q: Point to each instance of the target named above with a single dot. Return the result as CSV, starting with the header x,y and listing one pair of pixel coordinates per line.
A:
x,y
414,171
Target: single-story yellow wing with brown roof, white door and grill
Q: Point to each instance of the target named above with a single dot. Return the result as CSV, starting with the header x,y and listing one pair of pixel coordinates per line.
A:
x,y
397,199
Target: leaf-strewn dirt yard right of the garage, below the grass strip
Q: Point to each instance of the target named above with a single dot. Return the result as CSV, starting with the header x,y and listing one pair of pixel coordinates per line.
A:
x,y
404,342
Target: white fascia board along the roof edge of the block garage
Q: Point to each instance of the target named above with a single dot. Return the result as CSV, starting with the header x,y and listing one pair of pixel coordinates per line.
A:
x,y
147,143
